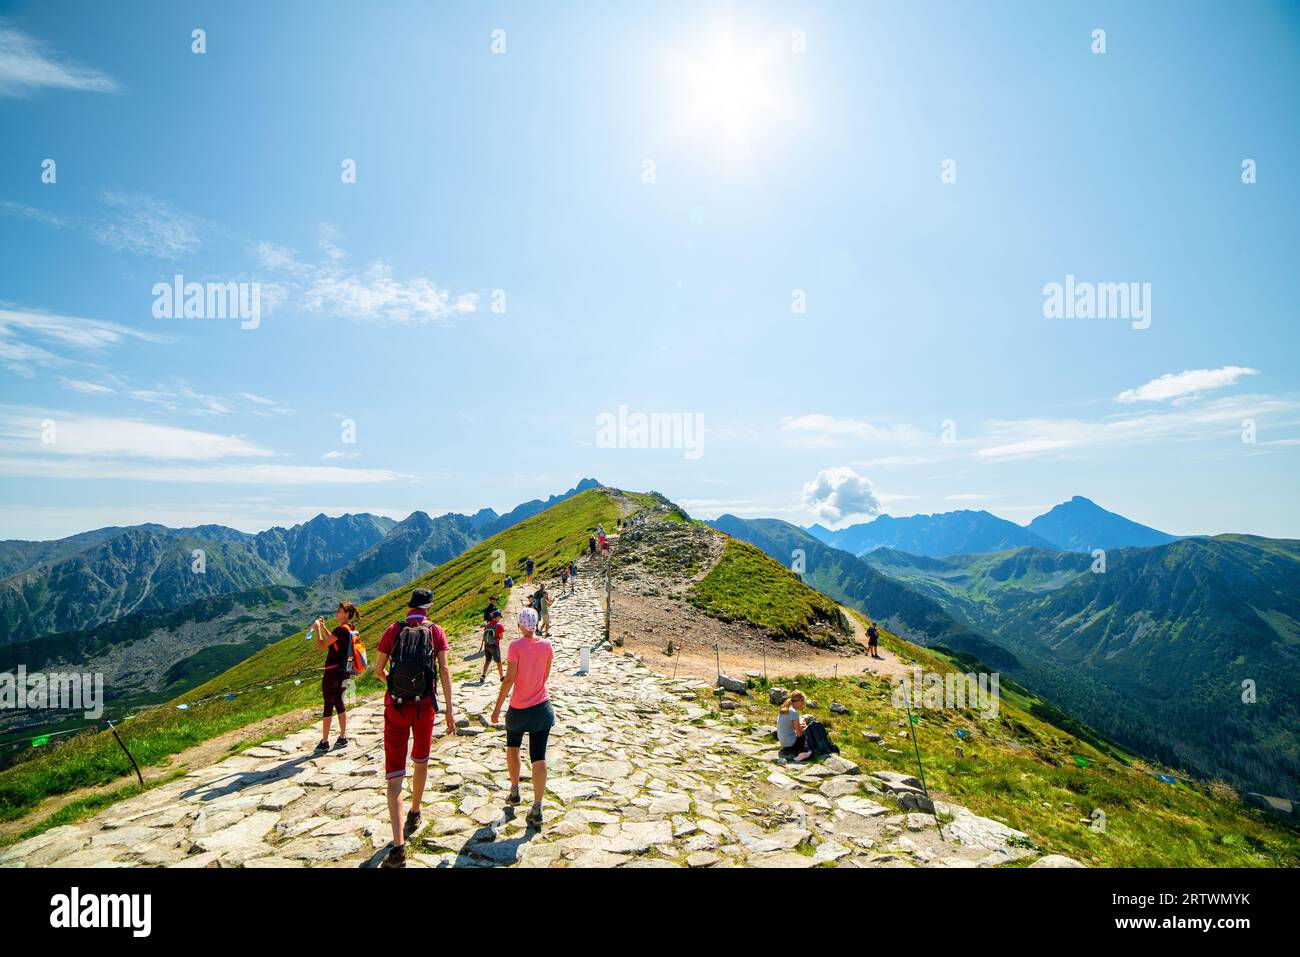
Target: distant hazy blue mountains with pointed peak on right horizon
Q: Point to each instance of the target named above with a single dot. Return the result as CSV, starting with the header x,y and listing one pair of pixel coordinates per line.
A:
x,y
1074,526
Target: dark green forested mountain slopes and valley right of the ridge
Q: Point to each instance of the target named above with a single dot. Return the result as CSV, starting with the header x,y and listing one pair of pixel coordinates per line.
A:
x,y
1188,652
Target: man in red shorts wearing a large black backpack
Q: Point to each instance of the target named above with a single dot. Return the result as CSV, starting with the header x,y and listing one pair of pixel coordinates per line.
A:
x,y
418,652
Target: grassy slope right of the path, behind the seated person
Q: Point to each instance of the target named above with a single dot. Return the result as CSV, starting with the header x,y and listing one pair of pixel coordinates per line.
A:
x,y
1021,769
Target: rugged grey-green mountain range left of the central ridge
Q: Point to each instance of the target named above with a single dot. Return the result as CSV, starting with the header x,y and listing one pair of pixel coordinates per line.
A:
x,y
93,578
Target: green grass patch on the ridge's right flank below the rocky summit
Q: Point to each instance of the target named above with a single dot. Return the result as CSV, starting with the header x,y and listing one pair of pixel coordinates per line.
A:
x,y
747,586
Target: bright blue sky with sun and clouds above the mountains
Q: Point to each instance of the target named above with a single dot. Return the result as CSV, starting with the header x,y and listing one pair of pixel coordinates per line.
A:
x,y
648,189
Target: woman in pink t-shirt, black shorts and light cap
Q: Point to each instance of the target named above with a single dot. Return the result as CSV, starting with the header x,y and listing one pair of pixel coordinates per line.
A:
x,y
528,669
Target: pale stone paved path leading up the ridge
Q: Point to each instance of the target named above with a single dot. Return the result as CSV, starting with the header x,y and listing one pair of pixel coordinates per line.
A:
x,y
642,776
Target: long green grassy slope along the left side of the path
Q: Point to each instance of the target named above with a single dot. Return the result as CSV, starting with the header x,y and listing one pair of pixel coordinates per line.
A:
x,y
461,588
